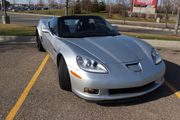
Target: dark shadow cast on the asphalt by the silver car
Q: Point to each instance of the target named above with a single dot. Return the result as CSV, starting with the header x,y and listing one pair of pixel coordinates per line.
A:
x,y
172,76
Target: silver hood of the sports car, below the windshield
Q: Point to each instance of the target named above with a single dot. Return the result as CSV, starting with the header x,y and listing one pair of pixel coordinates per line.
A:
x,y
111,49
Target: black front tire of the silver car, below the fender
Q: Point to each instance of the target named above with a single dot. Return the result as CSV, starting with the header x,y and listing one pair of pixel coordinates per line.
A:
x,y
64,79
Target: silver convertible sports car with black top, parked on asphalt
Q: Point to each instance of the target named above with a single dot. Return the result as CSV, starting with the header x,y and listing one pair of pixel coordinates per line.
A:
x,y
96,62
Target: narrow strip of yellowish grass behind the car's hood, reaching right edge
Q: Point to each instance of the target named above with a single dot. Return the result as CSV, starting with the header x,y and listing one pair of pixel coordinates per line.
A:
x,y
153,36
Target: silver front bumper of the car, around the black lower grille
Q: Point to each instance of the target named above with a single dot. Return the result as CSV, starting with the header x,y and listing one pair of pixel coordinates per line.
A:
x,y
118,79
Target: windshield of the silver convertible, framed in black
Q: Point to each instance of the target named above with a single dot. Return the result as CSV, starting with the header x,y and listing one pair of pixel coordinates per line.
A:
x,y
78,27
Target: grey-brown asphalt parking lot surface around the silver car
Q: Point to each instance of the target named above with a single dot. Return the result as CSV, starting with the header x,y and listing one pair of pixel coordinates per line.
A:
x,y
20,60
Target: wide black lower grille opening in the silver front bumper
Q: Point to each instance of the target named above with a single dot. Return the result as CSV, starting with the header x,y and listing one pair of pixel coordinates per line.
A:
x,y
131,90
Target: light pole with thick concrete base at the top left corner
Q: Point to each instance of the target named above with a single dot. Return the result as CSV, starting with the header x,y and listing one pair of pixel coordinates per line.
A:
x,y
5,17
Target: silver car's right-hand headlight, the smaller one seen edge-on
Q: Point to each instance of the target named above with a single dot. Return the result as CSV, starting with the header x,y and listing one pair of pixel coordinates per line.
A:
x,y
156,56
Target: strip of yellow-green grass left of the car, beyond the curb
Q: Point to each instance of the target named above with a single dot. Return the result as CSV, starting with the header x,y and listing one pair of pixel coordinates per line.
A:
x,y
16,30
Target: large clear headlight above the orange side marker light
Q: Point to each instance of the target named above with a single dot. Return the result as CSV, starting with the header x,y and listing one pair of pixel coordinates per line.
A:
x,y
90,65
